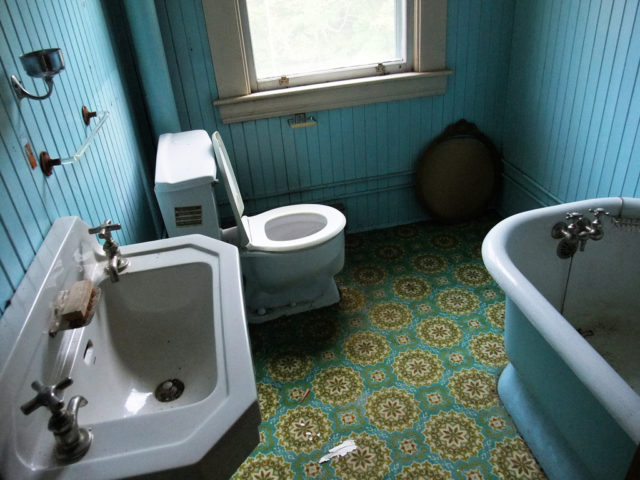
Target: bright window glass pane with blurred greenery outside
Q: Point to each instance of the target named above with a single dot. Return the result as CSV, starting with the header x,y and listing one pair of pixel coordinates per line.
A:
x,y
300,37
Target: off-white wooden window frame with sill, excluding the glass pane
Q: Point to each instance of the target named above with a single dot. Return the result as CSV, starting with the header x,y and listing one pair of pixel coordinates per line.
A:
x,y
237,102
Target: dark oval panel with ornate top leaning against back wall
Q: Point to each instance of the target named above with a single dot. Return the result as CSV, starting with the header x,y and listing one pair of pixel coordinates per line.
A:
x,y
458,174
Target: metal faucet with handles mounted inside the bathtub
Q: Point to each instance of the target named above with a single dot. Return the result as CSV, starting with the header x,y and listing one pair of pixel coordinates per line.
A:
x,y
577,231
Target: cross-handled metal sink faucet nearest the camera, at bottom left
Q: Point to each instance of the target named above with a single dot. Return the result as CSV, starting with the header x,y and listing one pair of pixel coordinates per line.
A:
x,y
72,442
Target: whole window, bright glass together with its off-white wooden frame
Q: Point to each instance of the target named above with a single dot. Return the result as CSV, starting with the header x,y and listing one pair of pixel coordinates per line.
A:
x,y
273,57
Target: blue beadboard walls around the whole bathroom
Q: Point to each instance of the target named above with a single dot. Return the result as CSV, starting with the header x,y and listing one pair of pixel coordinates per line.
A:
x,y
552,82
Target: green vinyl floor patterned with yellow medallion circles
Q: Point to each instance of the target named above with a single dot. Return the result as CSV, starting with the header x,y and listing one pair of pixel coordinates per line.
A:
x,y
406,365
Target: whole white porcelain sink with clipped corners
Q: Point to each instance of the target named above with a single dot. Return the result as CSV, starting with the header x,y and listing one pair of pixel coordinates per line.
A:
x,y
165,363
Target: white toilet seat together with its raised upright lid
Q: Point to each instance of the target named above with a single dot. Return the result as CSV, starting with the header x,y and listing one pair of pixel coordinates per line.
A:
x,y
283,229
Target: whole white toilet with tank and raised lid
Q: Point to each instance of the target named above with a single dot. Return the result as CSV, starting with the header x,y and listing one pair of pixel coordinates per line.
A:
x,y
289,255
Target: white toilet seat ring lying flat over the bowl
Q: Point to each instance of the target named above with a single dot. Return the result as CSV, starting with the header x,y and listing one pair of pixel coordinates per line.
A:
x,y
292,227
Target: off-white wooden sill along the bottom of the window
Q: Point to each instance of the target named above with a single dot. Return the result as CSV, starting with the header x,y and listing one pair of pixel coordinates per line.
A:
x,y
324,96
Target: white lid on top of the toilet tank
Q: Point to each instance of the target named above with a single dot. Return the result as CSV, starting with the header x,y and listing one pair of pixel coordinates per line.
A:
x,y
184,160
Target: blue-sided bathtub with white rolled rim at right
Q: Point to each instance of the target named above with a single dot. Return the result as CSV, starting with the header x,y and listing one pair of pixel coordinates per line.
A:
x,y
572,336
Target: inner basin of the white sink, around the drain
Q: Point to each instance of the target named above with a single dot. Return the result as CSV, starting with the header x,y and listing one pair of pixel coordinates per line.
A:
x,y
154,331
